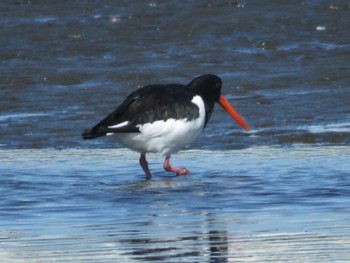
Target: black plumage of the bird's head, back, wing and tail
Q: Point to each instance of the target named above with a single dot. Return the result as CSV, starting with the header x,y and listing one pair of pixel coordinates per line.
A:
x,y
160,102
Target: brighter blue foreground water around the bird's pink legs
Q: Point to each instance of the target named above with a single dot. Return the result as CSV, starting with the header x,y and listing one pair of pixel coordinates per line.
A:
x,y
258,204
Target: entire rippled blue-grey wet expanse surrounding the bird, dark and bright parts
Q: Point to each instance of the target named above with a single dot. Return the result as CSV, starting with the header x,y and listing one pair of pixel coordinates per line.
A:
x,y
278,193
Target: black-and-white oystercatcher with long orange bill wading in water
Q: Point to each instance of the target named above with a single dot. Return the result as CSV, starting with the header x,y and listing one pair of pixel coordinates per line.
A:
x,y
164,118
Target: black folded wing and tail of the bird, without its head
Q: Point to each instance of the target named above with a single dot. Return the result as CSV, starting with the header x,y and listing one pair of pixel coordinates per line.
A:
x,y
147,105
